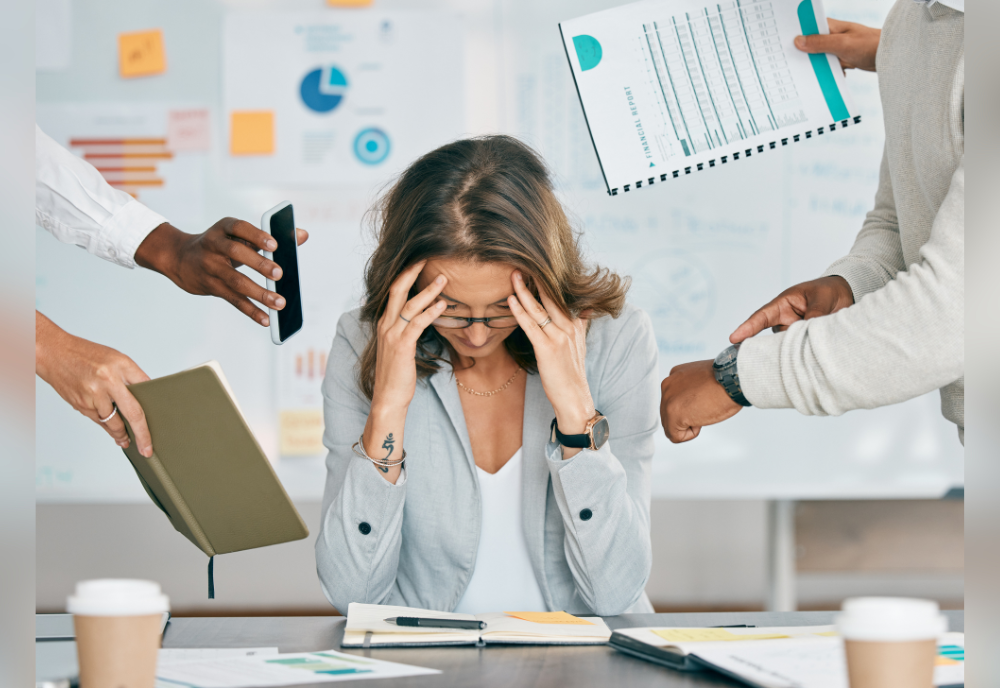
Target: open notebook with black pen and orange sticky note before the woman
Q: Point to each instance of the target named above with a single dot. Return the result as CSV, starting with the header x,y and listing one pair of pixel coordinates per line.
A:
x,y
366,627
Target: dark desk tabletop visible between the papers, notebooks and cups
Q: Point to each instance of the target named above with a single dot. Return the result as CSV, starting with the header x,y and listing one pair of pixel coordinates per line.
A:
x,y
496,666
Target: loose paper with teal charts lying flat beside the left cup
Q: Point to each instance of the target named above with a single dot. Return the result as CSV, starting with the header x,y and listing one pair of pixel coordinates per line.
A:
x,y
281,670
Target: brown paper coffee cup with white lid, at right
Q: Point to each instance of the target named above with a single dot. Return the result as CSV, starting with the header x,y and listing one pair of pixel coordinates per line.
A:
x,y
890,642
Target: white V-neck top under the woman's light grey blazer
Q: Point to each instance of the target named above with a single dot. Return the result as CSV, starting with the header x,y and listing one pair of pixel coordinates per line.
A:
x,y
503,580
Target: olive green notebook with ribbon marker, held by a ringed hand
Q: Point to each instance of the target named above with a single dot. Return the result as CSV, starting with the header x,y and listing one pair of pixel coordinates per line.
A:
x,y
207,472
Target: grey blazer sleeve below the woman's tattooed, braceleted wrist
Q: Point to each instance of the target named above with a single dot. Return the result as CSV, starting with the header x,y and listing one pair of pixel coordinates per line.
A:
x,y
357,550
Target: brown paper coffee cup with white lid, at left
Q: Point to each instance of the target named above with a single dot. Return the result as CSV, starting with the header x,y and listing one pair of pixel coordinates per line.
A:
x,y
117,631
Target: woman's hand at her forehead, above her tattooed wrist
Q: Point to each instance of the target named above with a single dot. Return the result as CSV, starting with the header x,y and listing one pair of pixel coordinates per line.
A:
x,y
399,328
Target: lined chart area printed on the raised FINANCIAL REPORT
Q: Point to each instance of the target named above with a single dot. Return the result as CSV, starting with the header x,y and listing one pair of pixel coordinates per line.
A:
x,y
717,75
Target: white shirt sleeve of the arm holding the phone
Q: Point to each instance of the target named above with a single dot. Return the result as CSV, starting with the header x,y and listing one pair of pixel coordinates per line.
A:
x,y
75,204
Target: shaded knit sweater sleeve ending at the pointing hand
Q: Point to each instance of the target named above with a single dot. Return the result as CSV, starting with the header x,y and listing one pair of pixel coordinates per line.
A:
x,y
877,254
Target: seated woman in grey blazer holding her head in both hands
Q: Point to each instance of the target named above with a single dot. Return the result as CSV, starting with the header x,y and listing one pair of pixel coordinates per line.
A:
x,y
490,408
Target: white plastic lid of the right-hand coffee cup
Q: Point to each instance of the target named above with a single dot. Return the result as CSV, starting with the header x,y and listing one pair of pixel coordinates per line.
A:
x,y
890,619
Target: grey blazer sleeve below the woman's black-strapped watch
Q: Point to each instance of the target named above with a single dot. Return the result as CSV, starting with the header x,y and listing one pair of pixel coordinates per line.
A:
x,y
603,496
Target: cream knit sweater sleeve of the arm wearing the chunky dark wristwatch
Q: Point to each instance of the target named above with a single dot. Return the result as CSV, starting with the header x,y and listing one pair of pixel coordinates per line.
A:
x,y
897,342
